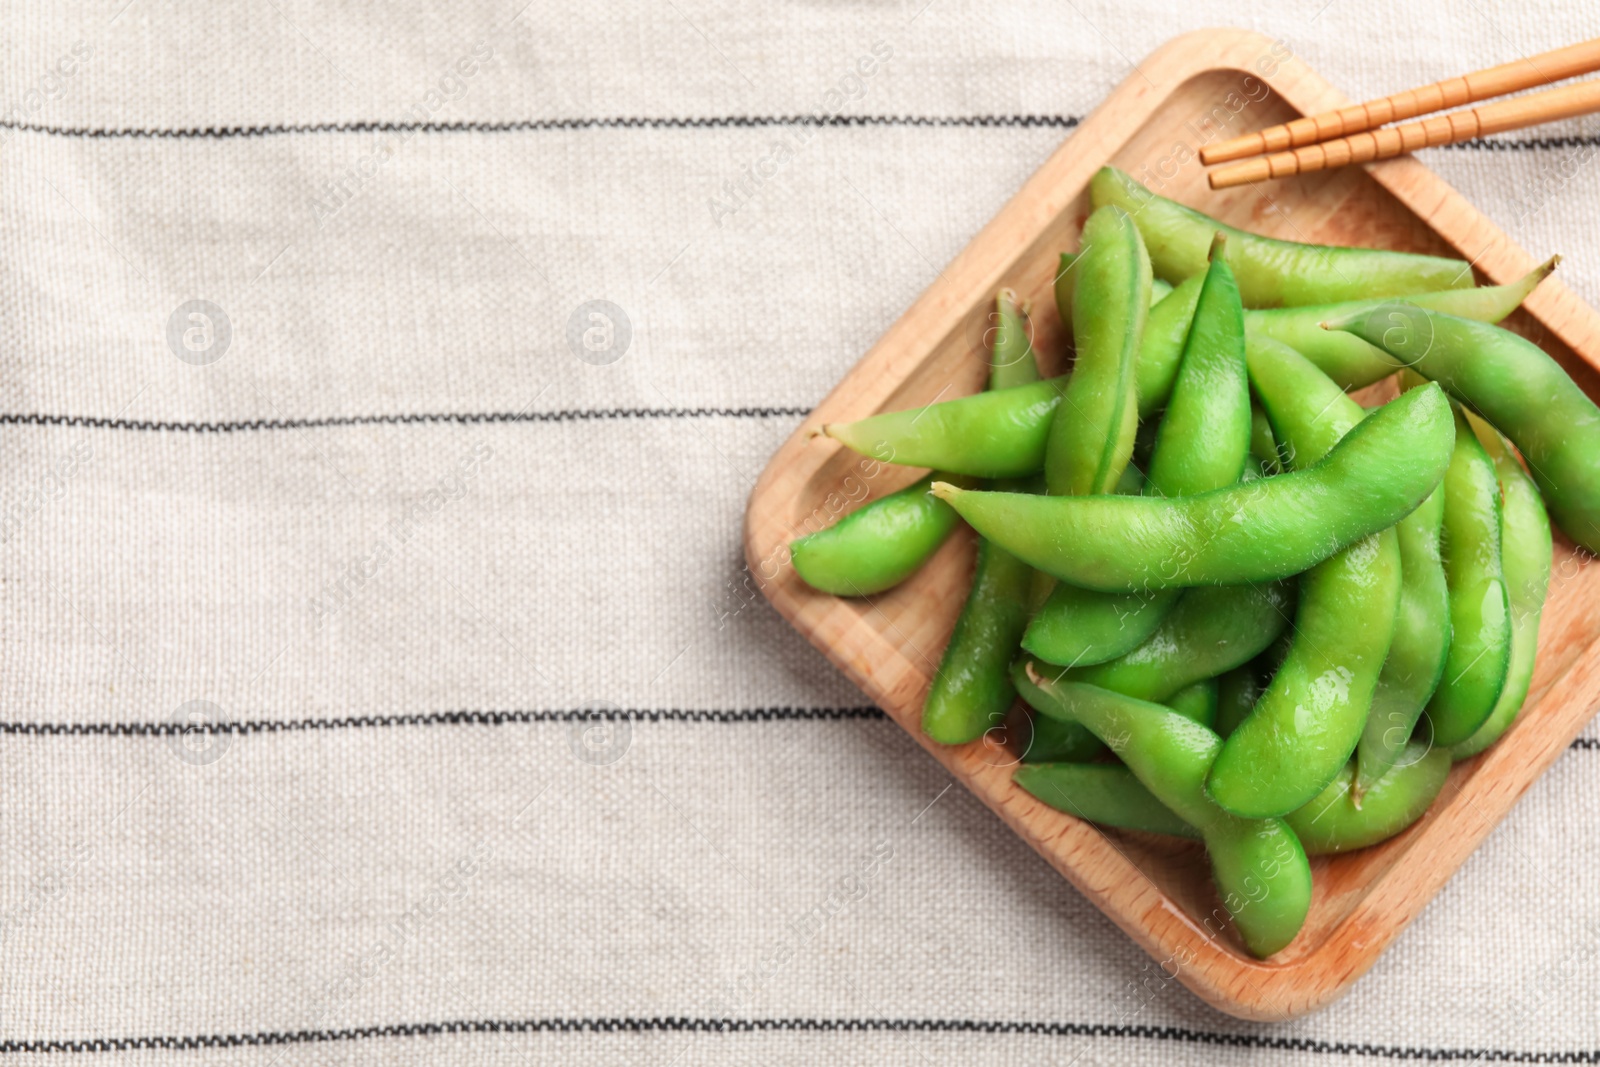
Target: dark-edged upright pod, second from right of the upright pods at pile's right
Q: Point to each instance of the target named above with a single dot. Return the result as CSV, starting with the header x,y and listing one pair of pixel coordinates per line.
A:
x,y
1479,604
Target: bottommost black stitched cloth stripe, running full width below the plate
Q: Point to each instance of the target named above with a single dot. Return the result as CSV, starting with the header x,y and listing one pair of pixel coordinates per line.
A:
x,y
670,1025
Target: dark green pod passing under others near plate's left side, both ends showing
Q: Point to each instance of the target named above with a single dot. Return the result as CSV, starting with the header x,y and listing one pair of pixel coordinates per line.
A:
x,y
972,690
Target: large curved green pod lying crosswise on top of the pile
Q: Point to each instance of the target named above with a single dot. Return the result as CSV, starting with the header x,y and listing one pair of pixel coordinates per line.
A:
x,y
1258,530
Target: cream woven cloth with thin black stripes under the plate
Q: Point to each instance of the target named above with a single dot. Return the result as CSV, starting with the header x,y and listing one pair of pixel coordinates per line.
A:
x,y
383,388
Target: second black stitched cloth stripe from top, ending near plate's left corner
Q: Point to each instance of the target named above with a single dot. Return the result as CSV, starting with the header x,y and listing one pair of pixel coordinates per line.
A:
x,y
572,415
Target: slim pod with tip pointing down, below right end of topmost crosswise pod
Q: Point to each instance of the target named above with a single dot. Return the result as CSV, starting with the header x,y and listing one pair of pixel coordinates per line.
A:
x,y
1417,658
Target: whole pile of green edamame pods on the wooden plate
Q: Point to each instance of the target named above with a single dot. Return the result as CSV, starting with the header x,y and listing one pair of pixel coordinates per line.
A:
x,y
1242,609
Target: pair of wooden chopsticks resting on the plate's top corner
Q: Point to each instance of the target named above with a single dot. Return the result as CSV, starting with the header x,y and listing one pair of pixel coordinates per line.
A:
x,y
1358,134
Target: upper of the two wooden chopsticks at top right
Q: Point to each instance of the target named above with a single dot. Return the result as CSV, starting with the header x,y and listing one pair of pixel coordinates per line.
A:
x,y
1513,78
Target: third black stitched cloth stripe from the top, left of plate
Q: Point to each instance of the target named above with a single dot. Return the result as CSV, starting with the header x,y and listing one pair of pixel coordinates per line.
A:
x,y
449,719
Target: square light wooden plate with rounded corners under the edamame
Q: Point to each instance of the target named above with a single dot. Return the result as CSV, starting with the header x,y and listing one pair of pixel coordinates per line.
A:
x,y
1199,87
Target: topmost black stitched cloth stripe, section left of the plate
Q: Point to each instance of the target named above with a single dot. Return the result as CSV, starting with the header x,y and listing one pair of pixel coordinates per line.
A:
x,y
526,126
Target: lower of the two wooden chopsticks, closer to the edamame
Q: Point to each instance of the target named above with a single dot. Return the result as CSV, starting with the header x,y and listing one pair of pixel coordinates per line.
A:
x,y
1390,142
